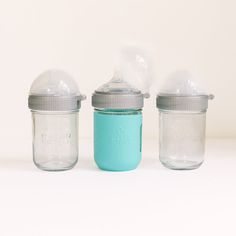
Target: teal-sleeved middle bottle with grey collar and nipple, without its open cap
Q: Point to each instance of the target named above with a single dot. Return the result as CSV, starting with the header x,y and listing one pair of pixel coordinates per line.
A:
x,y
117,126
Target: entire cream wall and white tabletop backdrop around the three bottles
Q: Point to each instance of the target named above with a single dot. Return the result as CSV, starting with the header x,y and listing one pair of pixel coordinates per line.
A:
x,y
82,38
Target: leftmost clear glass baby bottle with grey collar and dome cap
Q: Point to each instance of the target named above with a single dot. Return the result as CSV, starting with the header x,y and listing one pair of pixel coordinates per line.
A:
x,y
54,101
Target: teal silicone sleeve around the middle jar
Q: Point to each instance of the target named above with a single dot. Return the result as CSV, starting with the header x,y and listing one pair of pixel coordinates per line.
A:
x,y
117,141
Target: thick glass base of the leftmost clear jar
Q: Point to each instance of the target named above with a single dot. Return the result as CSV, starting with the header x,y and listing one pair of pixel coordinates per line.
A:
x,y
55,166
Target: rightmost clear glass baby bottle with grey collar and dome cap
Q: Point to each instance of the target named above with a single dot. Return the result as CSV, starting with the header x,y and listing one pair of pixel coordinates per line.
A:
x,y
182,117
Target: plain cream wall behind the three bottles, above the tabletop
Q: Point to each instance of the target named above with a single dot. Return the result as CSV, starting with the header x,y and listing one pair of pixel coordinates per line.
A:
x,y
82,37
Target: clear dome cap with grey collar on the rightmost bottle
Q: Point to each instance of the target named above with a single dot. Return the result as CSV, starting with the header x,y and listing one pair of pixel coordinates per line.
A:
x,y
181,93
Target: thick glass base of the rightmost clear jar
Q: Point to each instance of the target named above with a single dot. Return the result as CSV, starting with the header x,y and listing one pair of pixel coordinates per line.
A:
x,y
181,164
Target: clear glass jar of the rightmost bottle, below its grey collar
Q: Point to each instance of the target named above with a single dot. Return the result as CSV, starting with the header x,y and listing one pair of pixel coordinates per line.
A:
x,y
181,139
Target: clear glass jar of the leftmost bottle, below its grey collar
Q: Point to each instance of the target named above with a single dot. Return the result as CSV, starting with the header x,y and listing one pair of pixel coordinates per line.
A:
x,y
55,140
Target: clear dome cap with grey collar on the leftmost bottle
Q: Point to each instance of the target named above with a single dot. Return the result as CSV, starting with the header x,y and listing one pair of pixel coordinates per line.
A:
x,y
54,90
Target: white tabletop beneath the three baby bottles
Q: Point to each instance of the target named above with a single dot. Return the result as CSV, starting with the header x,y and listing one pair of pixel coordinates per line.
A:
x,y
151,200
